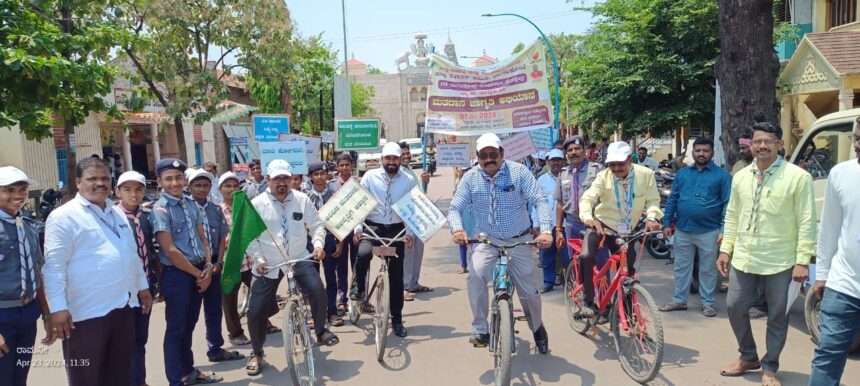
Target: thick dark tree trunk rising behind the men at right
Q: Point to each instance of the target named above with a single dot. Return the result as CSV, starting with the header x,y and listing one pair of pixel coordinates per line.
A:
x,y
747,69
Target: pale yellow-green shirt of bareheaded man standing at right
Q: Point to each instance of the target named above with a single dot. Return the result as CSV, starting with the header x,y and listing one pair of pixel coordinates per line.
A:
x,y
784,233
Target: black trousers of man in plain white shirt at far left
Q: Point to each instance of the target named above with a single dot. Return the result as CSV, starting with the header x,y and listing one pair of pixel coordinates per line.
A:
x,y
100,350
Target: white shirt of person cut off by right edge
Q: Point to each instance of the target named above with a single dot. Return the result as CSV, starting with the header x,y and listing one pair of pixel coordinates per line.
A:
x,y
838,255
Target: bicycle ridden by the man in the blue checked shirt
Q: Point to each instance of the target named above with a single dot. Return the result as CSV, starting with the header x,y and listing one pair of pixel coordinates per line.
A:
x,y
502,342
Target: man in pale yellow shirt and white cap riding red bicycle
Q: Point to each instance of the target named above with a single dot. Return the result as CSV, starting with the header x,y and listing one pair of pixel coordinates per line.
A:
x,y
616,199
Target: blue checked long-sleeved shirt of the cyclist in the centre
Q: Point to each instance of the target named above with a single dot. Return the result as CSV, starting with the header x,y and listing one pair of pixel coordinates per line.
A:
x,y
500,204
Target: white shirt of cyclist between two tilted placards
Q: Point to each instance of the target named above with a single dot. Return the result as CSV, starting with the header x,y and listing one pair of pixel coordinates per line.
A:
x,y
377,182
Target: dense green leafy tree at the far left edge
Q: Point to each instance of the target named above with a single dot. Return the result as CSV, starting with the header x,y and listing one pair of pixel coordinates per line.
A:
x,y
53,64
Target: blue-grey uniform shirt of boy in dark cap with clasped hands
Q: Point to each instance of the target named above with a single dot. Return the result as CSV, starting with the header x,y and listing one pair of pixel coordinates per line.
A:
x,y
168,215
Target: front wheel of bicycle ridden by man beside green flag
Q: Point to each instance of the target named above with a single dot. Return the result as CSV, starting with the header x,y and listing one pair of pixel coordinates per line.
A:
x,y
297,345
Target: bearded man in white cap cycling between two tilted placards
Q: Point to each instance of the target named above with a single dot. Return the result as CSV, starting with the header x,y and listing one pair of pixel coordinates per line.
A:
x,y
388,184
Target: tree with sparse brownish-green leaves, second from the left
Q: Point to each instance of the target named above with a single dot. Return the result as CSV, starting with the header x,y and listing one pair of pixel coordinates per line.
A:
x,y
170,44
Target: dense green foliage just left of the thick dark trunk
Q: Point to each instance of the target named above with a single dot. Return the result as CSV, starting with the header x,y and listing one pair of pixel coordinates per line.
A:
x,y
646,65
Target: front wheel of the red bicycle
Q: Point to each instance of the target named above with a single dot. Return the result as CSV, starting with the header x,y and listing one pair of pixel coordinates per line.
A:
x,y
640,340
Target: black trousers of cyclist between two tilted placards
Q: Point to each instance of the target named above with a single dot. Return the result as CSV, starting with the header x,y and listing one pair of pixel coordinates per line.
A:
x,y
395,266
